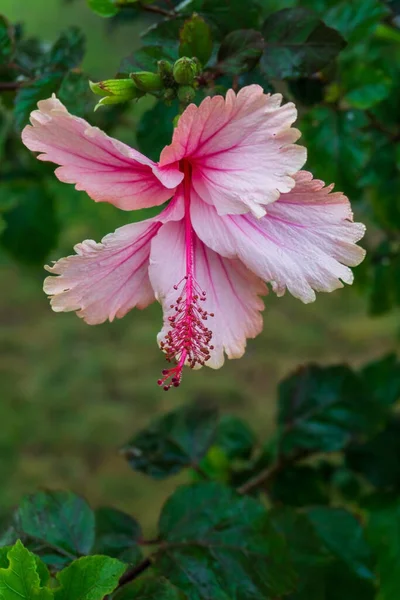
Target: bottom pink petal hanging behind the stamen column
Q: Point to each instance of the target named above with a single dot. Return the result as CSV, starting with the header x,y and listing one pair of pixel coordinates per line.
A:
x,y
232,291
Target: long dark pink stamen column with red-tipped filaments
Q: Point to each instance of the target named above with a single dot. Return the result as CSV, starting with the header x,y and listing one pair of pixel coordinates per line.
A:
x,y
188,340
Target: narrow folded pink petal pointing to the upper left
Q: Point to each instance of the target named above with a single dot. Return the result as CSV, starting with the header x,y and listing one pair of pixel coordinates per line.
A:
x,y
108,170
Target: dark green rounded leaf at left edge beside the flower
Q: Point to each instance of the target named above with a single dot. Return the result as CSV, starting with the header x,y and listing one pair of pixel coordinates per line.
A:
x,y
32,226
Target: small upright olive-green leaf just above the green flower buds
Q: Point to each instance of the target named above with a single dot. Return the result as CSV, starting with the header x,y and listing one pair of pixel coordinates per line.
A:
x,y
196,39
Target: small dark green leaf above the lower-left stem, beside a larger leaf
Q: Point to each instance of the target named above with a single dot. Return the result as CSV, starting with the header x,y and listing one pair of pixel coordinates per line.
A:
x,y
117,535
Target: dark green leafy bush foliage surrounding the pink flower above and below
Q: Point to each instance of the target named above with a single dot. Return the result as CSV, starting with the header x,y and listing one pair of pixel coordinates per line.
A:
x,y
312,513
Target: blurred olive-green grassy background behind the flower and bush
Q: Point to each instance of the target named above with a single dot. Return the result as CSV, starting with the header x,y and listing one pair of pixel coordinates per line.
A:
x,y
72,394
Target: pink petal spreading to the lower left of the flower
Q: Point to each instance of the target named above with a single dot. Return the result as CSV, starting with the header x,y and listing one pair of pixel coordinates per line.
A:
x,y
106,280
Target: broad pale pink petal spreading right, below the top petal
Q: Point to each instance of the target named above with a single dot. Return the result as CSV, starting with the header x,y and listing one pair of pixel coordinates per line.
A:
x,y
303,243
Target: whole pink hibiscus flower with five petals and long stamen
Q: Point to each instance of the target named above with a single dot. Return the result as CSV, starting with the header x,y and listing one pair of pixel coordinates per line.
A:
x,y
241,214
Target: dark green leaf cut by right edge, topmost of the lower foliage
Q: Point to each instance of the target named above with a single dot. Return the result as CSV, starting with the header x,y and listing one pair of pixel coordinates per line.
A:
x,y
382,378
